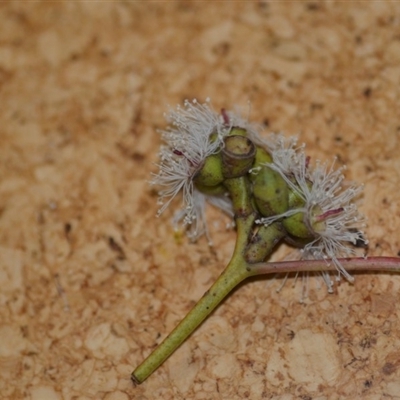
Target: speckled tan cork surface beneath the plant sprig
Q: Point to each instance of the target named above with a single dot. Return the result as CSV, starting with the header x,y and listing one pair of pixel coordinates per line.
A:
x,y
91,280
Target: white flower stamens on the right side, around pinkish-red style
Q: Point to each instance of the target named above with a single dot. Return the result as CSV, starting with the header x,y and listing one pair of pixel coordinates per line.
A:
x,y
328,212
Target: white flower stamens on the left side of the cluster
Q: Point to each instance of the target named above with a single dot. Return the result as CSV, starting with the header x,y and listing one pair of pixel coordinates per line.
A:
x,y
187,145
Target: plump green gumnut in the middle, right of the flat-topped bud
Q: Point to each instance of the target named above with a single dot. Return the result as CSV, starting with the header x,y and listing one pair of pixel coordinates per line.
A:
x,y
270,192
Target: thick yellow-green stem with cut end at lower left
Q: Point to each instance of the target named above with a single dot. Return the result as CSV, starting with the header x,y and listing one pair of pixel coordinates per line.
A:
x,y
236,271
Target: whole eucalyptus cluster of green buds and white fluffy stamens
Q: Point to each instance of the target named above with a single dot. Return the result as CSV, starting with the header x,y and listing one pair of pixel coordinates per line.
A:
x,y
310,207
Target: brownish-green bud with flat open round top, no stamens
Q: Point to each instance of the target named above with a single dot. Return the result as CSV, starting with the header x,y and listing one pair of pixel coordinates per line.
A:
x,y
237,156
